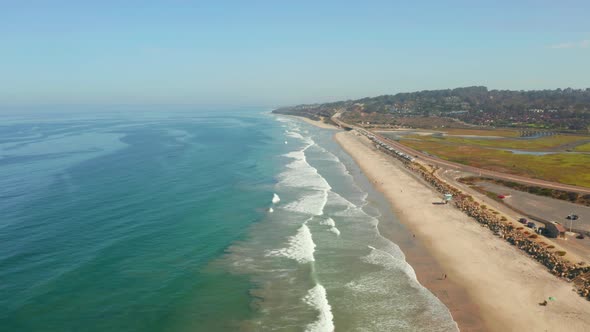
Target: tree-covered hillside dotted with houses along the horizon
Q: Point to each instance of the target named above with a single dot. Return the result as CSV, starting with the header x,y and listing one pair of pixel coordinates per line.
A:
x,y
560,109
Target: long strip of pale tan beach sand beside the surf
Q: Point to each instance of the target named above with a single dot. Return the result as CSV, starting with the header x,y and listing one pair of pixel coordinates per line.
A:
x,y
490,285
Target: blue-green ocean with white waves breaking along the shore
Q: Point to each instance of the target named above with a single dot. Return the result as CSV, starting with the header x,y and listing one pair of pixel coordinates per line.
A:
x,y
194,220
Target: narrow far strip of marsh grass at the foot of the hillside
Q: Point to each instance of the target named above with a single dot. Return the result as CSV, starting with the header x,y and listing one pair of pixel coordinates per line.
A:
x,y
537,144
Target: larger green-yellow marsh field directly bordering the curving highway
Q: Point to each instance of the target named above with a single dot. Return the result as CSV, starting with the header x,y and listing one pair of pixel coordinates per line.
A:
x,y
561,167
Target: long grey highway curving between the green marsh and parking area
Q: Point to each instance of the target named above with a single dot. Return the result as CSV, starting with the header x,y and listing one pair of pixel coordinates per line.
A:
x,y
464,168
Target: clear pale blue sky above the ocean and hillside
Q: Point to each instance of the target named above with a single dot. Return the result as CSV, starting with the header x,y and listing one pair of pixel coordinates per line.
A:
x,y
283,52
